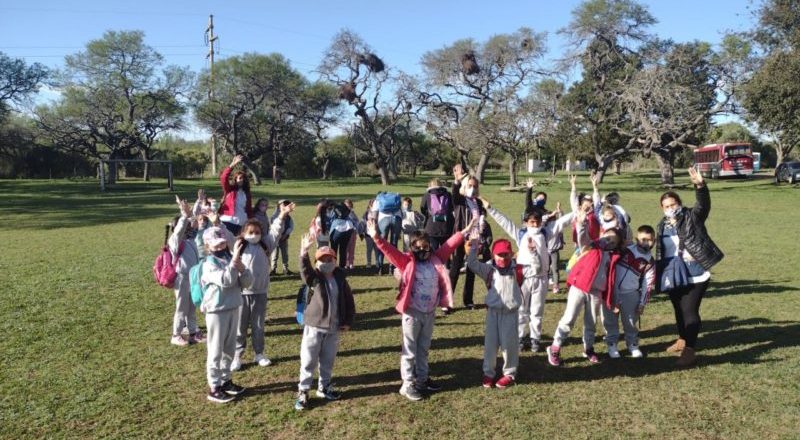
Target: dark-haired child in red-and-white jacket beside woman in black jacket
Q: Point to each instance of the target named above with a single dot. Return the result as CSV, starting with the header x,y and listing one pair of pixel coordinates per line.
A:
x,y
633,282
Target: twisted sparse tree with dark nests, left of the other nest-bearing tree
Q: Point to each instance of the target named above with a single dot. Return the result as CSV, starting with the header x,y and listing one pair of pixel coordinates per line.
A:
x,y
382,99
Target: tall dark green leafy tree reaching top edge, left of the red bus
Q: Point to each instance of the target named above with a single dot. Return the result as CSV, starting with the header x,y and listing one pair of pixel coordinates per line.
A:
x,y
606,36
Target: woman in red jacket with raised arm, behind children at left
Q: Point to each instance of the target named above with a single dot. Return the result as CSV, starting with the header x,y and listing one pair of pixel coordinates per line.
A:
x,y
237,204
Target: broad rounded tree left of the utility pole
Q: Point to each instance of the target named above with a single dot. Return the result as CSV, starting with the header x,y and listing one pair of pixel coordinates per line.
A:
x,y
115,103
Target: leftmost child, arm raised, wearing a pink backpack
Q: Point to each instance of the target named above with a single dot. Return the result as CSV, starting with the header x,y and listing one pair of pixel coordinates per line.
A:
x,y
184,253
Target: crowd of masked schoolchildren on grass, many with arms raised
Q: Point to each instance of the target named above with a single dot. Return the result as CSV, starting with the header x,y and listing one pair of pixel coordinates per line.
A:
x,y
611,275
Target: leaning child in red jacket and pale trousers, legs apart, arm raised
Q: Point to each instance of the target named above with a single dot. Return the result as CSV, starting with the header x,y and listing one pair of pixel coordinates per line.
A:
x,y
590,279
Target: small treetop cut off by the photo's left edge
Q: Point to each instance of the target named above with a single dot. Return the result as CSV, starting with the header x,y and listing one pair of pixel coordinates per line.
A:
x,y
18,81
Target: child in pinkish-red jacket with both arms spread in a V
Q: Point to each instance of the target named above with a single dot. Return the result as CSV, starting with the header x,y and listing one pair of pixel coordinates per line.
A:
x,y
424,285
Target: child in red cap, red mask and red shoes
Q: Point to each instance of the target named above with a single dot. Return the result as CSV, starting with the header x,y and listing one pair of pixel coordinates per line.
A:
x,y
503,300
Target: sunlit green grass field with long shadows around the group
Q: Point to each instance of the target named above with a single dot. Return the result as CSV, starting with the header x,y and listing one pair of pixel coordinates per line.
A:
x,y
85,333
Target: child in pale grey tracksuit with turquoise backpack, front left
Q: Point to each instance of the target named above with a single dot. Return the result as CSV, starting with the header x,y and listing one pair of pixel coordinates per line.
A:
x,y
223,276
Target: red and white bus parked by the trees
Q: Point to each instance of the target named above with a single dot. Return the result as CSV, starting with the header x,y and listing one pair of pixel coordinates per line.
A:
x,y
721,160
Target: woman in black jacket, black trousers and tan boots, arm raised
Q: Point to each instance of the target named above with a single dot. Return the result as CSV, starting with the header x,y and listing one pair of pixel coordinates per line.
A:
x,y
684,254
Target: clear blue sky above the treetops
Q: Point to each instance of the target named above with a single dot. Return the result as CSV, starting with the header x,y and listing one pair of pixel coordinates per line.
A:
x,y
399,31
